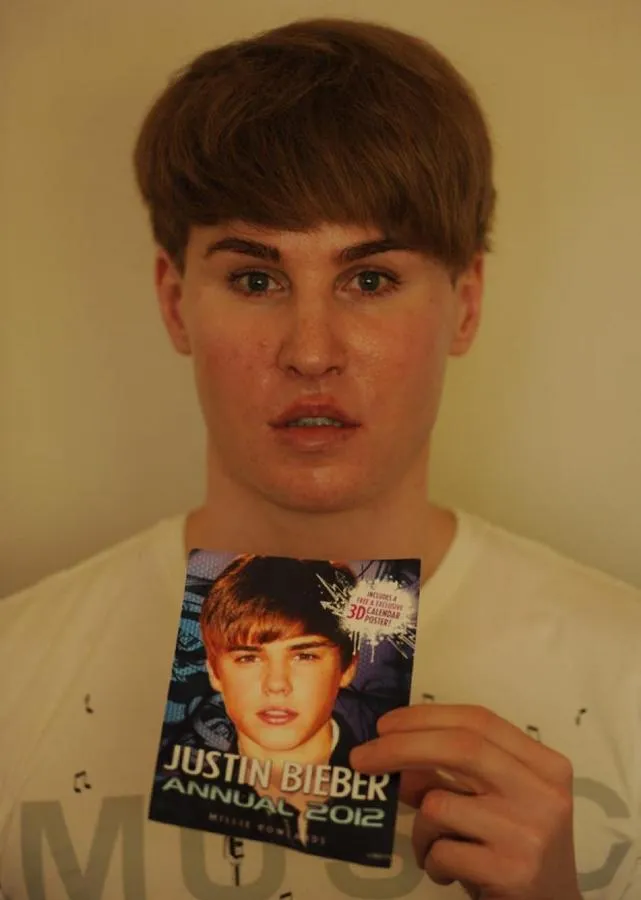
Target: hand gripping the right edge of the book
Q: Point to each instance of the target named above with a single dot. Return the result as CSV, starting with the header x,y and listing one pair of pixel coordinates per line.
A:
x,y
504,827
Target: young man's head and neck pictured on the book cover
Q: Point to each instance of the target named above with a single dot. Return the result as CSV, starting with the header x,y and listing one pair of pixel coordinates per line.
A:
x,y
278,665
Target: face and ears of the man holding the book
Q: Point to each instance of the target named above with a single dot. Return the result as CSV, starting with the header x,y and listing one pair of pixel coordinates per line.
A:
x,y
319,374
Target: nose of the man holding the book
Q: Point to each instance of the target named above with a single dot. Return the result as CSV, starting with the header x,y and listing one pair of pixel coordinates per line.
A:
x,y
313,344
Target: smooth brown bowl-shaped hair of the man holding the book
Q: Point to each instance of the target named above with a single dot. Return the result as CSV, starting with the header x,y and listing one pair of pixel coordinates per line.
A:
x,y
321,120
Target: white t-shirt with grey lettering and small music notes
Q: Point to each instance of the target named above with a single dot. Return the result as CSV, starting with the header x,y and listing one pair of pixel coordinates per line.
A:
x,y
549,645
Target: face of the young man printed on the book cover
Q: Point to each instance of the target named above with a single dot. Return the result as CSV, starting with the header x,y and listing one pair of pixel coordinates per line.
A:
x,y
280,694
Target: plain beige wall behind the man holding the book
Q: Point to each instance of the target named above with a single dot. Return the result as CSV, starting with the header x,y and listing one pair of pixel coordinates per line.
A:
x,y
541,425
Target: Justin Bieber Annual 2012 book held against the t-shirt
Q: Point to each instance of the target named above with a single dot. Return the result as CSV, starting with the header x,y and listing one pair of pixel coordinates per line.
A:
x,y
281,667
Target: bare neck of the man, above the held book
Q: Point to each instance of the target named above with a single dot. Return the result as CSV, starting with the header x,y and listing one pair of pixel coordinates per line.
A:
x,y
397,525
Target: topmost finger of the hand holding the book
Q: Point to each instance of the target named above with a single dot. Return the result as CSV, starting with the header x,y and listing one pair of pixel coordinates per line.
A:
x,y
537,757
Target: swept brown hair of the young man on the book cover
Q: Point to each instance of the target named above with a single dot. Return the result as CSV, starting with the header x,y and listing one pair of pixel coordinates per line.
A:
x,y
258,599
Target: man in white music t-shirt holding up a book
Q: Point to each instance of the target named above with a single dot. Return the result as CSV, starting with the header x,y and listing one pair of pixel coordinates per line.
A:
x,y
322,198
